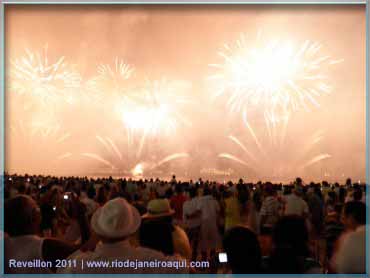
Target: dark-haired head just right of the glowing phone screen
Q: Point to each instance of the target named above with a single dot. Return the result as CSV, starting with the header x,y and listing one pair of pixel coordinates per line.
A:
x,y
243,250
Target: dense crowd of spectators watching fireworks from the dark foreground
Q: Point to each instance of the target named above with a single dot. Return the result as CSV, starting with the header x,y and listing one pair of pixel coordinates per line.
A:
x,y
223,227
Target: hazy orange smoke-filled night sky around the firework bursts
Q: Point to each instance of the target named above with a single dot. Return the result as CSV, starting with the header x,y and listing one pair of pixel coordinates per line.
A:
x,y
179,43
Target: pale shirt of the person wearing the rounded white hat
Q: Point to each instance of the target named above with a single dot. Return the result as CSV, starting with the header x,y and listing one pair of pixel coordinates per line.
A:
x,y
122,251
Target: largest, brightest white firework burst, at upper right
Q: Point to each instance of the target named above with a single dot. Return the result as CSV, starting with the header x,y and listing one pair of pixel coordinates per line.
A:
x,y
274,76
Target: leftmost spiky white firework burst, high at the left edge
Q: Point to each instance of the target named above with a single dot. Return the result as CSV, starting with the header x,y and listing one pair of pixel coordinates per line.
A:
x,y
34,75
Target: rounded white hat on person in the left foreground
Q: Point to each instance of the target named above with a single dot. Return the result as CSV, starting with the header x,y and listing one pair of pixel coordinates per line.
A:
x,y
116,219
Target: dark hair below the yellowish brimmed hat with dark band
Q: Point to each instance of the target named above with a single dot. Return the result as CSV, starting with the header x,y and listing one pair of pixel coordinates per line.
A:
x,y
157,234
